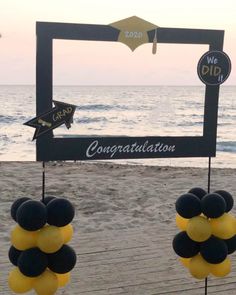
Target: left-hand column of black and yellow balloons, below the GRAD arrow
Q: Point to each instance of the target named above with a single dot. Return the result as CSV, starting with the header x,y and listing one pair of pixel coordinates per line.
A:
x,y
39,249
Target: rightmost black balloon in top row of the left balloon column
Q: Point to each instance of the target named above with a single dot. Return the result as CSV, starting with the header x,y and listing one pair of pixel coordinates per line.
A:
x,y
60,212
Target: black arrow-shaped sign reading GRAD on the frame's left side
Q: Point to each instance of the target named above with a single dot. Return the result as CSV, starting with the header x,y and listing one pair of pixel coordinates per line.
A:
x,y
62,113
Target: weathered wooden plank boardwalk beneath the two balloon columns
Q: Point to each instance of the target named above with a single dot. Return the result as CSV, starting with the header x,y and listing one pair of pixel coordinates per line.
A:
x,y
138,261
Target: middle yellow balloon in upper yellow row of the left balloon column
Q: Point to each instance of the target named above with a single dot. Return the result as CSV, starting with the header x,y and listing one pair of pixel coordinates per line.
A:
x,y
50,239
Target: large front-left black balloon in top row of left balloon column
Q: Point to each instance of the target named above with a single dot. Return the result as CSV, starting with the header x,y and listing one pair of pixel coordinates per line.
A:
x,y
32,215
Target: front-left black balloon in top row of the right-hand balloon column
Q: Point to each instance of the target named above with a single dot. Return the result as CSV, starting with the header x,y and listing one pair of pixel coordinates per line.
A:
x,y
188,205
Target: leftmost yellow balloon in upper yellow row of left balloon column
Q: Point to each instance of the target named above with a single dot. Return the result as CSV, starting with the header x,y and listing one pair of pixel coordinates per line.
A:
x,y
23,239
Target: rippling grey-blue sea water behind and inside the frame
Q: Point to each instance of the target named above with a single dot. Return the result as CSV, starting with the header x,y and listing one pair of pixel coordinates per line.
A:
x,y
121,110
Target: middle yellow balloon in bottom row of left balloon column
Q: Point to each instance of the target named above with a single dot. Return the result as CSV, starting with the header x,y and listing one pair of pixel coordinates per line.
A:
x,y
46,283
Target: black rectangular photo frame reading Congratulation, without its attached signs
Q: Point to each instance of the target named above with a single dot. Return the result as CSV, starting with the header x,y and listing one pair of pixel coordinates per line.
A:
x,y
121,147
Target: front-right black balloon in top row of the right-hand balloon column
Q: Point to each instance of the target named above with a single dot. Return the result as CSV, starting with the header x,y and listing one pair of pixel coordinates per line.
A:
x,y
213,205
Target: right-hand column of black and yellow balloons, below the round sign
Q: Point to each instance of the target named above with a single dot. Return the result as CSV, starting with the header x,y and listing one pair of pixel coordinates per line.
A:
x,y
208,232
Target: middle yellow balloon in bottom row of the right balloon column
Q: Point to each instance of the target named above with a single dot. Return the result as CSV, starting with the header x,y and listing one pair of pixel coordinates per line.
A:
x,y
198,267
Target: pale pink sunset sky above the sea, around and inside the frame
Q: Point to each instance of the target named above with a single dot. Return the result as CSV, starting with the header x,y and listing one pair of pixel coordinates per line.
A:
x,y
111,63
